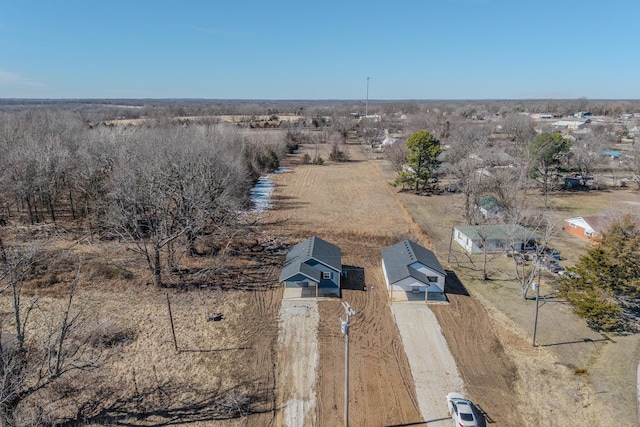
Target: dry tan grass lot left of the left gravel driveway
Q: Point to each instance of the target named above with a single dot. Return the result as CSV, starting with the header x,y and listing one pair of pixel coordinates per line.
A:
x,y
223,371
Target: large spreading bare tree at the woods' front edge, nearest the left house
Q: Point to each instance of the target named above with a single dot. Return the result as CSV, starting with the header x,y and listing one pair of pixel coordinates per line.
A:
x,y
175,183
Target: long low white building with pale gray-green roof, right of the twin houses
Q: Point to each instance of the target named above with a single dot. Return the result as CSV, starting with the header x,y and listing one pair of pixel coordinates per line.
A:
x,y
494,238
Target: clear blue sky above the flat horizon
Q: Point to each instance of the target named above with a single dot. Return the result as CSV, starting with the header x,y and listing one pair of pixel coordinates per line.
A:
x,y
281,49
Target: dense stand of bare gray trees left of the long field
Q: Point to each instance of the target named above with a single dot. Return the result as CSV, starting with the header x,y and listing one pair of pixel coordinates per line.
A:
x,y
154,186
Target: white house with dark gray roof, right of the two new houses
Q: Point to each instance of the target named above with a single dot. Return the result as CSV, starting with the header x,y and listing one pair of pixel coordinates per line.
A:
x,y
412,269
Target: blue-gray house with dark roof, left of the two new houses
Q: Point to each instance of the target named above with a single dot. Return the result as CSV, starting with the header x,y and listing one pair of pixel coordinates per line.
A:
x,y
315,266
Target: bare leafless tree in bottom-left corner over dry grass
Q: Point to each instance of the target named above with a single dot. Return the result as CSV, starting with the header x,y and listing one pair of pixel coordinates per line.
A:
x,y
35,361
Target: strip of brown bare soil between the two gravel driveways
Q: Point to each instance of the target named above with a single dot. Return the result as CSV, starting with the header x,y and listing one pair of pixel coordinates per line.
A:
x,y
381,385
